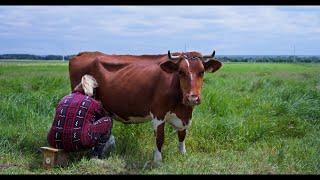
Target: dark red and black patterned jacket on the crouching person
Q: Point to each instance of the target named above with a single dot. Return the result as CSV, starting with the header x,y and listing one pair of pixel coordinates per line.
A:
x,y
77,123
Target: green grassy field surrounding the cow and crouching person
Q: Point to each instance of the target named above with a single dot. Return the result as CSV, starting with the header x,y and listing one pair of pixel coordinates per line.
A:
x,y
254,119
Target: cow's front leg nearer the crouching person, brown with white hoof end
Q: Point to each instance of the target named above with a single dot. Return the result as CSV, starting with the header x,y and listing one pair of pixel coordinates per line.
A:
x,y
158,126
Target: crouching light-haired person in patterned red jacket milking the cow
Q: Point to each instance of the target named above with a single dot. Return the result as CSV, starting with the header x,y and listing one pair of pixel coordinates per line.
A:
x,y
81,123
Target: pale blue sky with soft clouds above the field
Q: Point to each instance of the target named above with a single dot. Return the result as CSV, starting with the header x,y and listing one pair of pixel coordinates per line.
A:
x,y
229,30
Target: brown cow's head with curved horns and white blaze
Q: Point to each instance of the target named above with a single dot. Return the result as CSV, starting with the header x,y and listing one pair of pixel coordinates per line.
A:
x,y
190,68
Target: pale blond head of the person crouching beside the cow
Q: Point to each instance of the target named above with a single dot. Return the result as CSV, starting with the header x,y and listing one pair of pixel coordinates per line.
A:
x,y
87,85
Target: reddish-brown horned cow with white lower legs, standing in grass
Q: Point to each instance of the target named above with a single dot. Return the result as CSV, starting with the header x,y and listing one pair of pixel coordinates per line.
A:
x,y
161,88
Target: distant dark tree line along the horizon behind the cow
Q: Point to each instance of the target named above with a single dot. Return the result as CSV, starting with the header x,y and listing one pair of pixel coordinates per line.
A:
x,y
223,58
